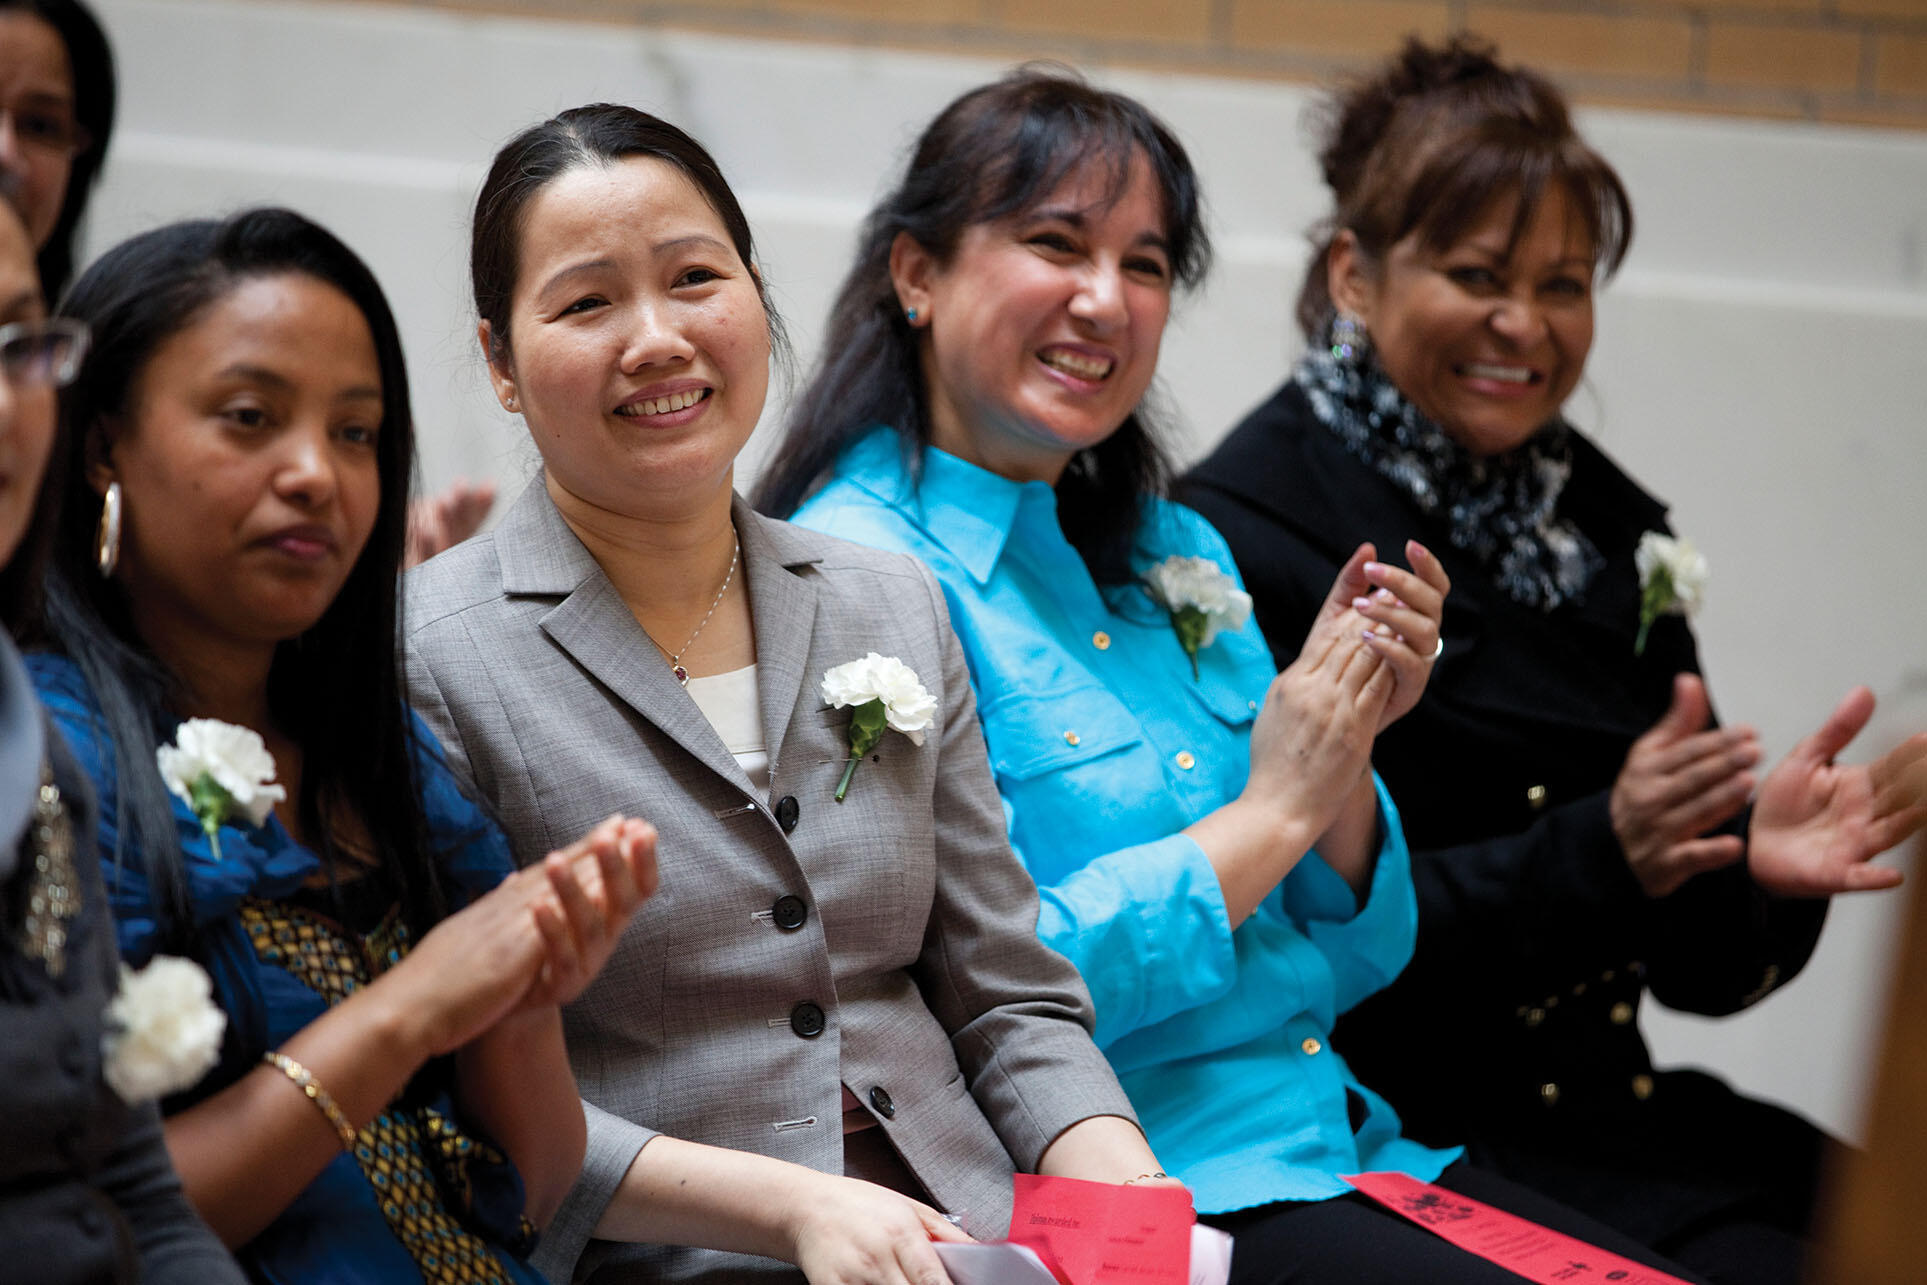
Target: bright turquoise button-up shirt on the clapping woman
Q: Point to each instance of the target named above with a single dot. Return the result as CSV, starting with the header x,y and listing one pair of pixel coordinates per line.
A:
x,y
1105,750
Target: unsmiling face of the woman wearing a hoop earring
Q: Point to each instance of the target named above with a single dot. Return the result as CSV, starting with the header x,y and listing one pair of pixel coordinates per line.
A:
x,y
248,465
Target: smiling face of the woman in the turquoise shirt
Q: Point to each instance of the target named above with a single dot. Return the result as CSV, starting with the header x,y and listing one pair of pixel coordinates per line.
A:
x,y
1042,330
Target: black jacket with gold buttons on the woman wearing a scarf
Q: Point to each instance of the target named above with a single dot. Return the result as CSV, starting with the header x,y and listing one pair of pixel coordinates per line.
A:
x,y
1516,1028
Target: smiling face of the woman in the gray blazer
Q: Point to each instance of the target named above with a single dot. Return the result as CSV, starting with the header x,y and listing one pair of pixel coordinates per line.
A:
x,y
639,348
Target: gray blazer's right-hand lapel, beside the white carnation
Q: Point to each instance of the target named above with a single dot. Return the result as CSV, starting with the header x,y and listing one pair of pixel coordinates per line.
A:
x,y
783,606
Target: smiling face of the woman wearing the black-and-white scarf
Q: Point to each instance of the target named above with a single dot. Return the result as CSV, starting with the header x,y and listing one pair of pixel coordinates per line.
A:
x,y
1487,338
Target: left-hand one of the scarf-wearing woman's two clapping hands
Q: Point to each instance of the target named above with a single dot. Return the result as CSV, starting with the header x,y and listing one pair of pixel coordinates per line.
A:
x,y
1681,779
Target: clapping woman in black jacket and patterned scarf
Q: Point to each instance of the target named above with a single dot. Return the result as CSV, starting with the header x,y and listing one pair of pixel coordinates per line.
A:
x,y
1581,833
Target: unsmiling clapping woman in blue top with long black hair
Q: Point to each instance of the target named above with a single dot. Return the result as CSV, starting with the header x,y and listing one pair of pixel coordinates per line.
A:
x,y
392,1101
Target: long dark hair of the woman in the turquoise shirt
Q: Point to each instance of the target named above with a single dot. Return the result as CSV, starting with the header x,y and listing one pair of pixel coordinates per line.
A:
x,y
993,153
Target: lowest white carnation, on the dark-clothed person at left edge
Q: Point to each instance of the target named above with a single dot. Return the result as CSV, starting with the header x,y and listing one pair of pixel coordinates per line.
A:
x,y
163,1030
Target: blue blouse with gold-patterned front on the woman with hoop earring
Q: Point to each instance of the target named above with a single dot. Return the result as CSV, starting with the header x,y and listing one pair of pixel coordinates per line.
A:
x,y
423,1197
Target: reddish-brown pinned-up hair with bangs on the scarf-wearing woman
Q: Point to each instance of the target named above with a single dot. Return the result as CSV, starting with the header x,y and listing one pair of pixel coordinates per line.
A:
x,y
1435,140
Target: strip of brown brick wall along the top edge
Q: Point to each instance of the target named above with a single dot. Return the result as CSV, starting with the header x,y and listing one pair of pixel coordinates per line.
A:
x,y
1832,61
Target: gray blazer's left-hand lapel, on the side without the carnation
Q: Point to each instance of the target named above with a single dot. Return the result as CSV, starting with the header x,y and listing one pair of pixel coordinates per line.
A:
x,y
542,558
